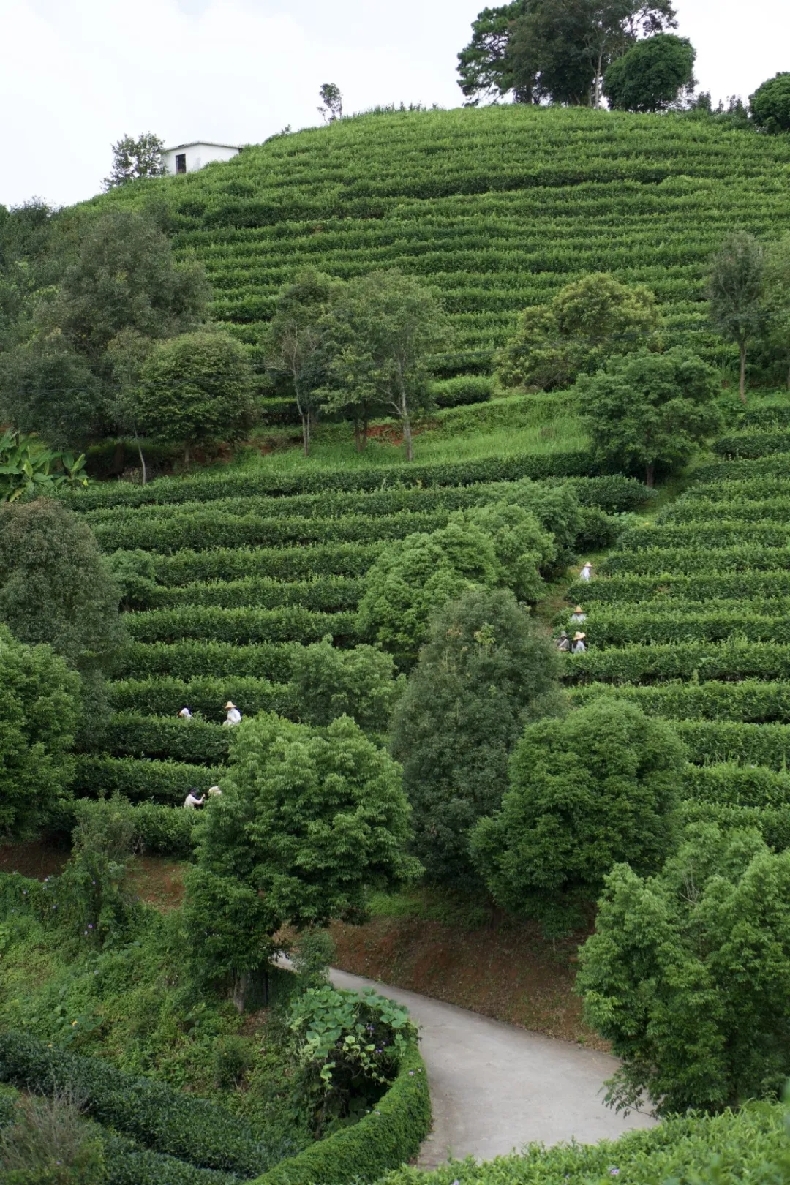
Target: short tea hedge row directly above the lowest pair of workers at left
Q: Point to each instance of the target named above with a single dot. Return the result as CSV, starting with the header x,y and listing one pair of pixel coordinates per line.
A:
x,y
166,783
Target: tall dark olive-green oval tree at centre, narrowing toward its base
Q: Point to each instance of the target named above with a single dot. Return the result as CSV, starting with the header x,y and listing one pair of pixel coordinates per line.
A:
x,y
486,670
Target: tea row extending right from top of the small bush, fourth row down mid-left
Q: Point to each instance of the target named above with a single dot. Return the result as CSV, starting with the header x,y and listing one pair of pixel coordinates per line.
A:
x,y
187,567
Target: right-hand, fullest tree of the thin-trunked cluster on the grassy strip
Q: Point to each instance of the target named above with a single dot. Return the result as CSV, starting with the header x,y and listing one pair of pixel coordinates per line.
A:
x,y
383,328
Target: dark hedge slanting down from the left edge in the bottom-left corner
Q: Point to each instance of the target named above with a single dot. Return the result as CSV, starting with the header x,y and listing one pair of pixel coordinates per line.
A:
x,y
163,1119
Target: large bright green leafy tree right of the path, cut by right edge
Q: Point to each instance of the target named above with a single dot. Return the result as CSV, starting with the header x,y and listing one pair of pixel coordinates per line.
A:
x,y
689,975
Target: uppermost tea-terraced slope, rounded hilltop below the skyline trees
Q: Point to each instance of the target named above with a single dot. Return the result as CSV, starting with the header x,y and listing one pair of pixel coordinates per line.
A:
x,y
498,208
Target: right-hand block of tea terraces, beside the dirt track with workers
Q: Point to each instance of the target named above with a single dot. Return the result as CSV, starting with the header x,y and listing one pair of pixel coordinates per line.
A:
x,y
689,620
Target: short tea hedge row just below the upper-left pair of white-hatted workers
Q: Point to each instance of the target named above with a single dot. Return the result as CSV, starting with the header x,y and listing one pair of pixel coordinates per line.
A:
x,y
196,742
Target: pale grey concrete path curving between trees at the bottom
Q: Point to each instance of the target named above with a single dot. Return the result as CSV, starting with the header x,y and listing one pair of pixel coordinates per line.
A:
x,y
496,1088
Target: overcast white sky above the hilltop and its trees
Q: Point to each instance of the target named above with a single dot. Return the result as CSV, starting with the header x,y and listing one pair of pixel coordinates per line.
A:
x,y
76,75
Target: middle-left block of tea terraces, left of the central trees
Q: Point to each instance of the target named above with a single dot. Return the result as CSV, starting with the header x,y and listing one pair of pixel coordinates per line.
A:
x,y
247,572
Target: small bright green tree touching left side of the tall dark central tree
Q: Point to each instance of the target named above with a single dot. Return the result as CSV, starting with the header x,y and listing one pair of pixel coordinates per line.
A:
x,y
359,683
